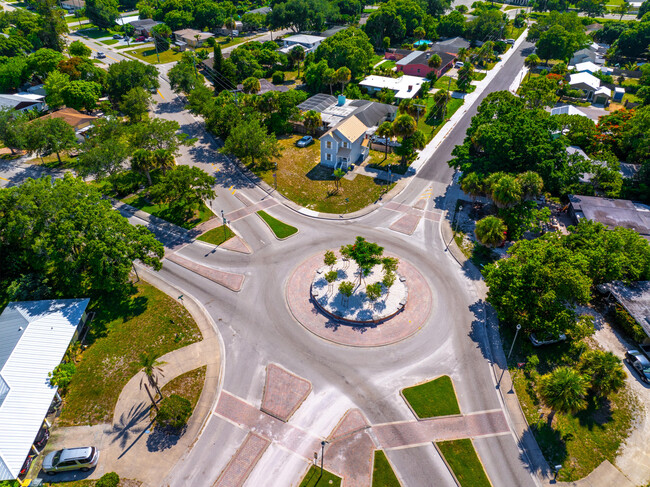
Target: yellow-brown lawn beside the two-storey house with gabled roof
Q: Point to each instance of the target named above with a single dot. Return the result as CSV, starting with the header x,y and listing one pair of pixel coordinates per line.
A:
x,y
302,179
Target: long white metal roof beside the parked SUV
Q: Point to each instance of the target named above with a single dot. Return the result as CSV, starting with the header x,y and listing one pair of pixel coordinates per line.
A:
x,y
34,336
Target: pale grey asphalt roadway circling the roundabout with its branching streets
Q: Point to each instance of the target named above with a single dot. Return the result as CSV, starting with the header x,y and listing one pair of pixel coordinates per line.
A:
x,y
258,329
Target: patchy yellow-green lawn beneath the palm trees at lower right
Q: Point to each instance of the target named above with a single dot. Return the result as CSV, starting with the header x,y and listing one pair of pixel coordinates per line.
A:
x,y
580,442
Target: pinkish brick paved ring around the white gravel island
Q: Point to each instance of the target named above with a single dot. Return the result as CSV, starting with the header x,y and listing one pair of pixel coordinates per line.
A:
x,y
401,326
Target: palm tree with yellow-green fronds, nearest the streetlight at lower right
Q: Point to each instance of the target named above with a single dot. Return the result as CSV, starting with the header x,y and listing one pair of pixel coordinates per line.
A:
x,y
564,390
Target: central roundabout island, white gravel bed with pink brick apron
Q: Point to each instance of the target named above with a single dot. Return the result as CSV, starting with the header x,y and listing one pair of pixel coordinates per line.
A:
x,y
400,310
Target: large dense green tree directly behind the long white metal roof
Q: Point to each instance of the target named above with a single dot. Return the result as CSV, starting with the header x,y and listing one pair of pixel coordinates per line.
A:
x,y
64,238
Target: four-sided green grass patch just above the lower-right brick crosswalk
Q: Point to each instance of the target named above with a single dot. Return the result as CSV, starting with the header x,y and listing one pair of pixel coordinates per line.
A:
x,y
433,398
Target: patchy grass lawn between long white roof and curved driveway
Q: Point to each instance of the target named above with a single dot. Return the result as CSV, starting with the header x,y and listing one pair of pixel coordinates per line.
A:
x,y
149,321
